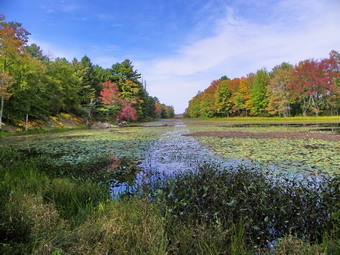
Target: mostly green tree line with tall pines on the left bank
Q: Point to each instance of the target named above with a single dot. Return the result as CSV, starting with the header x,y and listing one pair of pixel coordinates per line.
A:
x,y
34,86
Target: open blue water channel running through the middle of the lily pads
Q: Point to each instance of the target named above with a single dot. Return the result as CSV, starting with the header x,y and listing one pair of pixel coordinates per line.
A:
x,y
172,153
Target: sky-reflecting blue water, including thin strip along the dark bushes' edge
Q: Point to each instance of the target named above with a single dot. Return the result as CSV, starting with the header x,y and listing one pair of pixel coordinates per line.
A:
x,y
173,153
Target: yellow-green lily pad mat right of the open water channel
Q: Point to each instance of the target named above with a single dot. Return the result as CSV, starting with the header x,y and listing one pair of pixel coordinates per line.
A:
x,y
308,156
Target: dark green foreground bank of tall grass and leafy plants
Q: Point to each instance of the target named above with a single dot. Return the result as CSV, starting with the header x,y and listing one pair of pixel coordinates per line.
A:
x,y
66,209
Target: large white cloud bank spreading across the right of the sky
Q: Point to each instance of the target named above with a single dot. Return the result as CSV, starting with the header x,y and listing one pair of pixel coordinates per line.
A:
x,y
298,30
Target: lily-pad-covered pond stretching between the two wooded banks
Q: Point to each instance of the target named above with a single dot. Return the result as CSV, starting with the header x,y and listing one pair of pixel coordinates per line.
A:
x,y
164,147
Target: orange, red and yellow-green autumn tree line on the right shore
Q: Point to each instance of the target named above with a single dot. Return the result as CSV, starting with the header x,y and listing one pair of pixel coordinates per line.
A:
x,y
312,87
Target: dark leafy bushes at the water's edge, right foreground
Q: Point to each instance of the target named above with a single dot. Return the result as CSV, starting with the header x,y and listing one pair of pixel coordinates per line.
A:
x,y
269,209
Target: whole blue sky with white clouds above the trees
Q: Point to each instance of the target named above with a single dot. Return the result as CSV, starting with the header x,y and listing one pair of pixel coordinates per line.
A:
x,y
180,46
